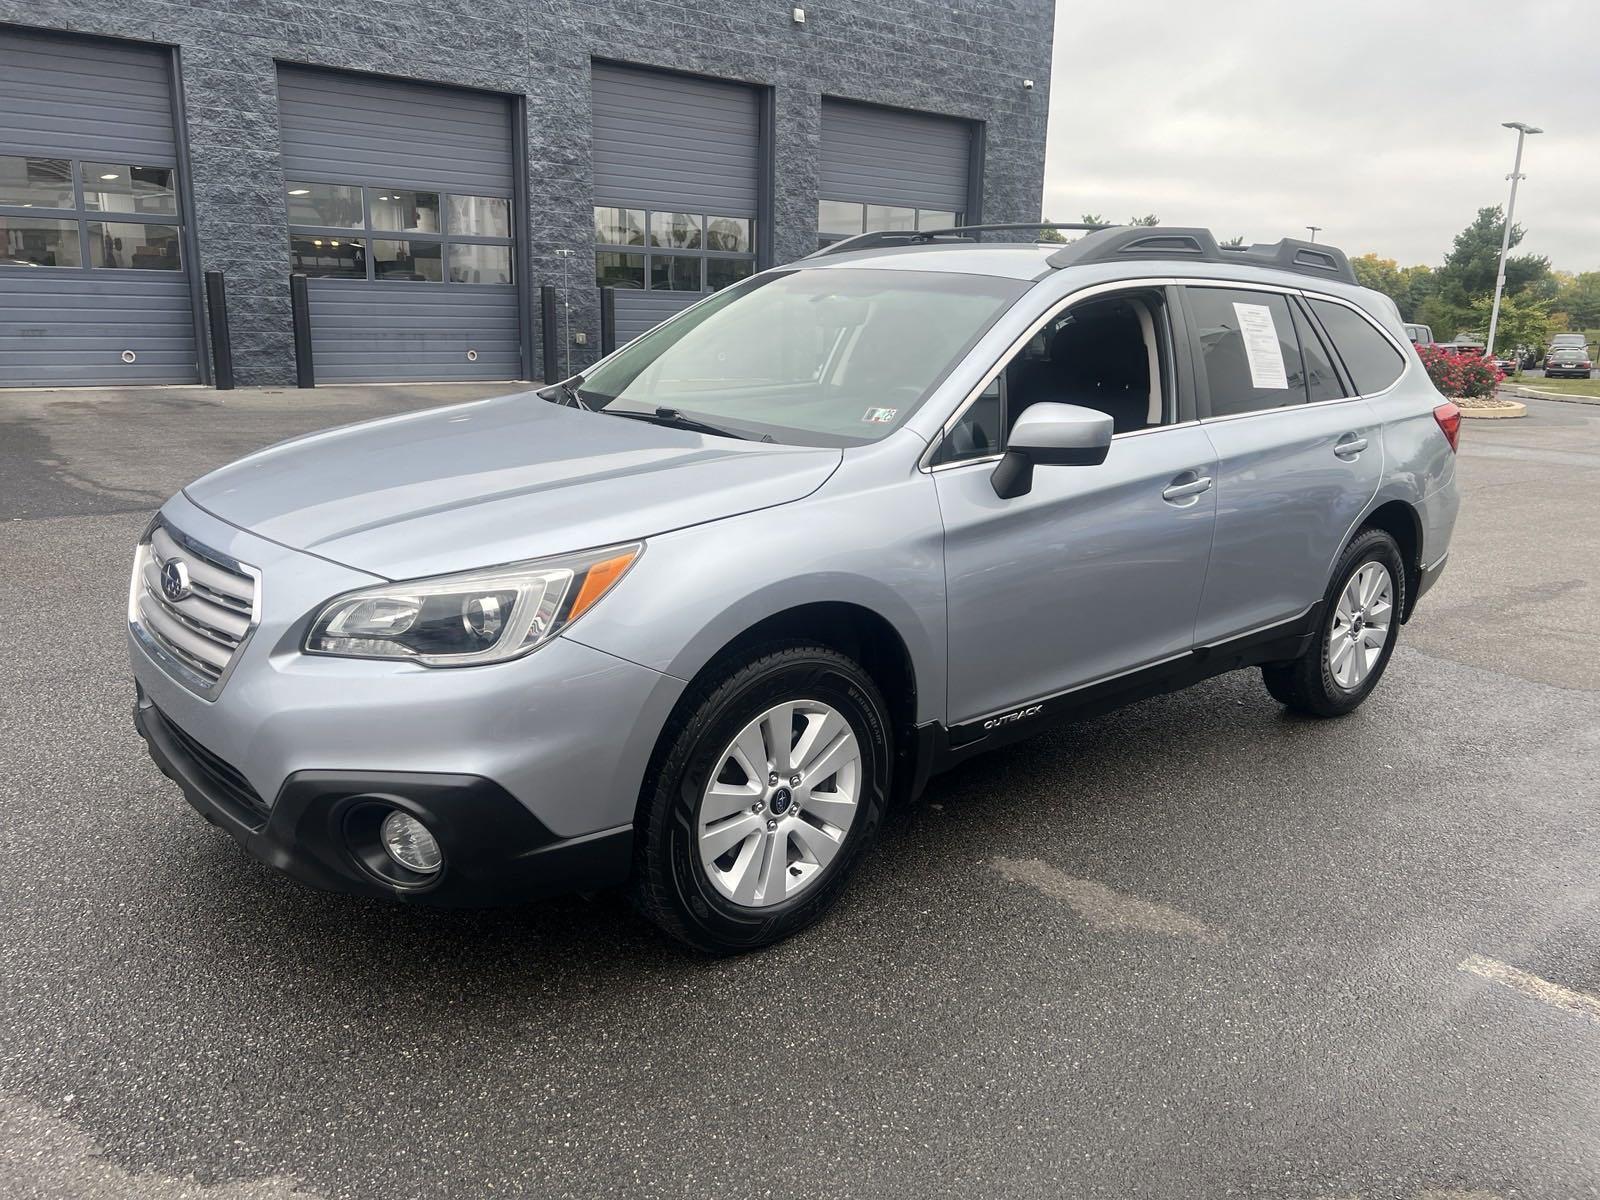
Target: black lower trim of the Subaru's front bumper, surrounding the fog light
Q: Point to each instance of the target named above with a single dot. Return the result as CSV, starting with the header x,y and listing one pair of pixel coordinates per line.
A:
x,y
321,826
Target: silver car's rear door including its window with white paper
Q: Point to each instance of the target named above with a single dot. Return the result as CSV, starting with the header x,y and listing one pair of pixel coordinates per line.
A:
x,y
1300,455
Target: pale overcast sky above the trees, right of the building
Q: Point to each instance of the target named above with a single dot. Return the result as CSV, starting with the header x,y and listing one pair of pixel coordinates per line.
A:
x,y
1380,122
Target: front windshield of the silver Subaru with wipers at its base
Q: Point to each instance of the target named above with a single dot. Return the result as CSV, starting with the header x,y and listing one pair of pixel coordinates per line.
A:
x,y
818,358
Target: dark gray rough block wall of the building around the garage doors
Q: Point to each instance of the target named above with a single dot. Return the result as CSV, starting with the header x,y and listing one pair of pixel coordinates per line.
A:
x,y
962,58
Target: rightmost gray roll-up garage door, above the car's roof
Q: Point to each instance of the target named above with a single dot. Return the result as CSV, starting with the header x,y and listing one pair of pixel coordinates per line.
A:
x,y
884,169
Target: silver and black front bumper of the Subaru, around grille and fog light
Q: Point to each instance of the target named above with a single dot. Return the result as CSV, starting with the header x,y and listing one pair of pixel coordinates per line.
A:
x,y
566,735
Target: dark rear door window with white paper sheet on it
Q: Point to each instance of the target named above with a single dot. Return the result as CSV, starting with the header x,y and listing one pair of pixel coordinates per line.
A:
x,y
1249,350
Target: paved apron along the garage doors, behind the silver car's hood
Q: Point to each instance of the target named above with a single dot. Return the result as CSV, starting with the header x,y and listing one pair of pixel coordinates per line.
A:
x,y
87,450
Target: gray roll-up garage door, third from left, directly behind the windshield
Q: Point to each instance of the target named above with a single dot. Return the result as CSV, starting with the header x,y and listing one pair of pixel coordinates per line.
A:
x,y
676,183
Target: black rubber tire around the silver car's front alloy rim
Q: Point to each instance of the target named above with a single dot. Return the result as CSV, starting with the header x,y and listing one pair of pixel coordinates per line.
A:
x,y
670,886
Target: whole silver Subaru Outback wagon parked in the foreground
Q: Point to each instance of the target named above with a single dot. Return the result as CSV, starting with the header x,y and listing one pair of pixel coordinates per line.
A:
x,y
692,622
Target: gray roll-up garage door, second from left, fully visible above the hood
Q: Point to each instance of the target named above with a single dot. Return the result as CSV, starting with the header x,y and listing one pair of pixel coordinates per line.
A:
x,y
401,201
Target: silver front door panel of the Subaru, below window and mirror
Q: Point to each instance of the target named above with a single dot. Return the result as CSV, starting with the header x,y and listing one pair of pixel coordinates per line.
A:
x,y
1094,574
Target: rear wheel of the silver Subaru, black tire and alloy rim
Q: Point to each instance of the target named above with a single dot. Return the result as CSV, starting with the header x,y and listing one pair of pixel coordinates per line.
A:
x,y
1359,628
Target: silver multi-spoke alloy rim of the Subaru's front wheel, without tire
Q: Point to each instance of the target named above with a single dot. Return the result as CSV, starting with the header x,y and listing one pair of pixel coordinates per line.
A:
x,y
780,804
